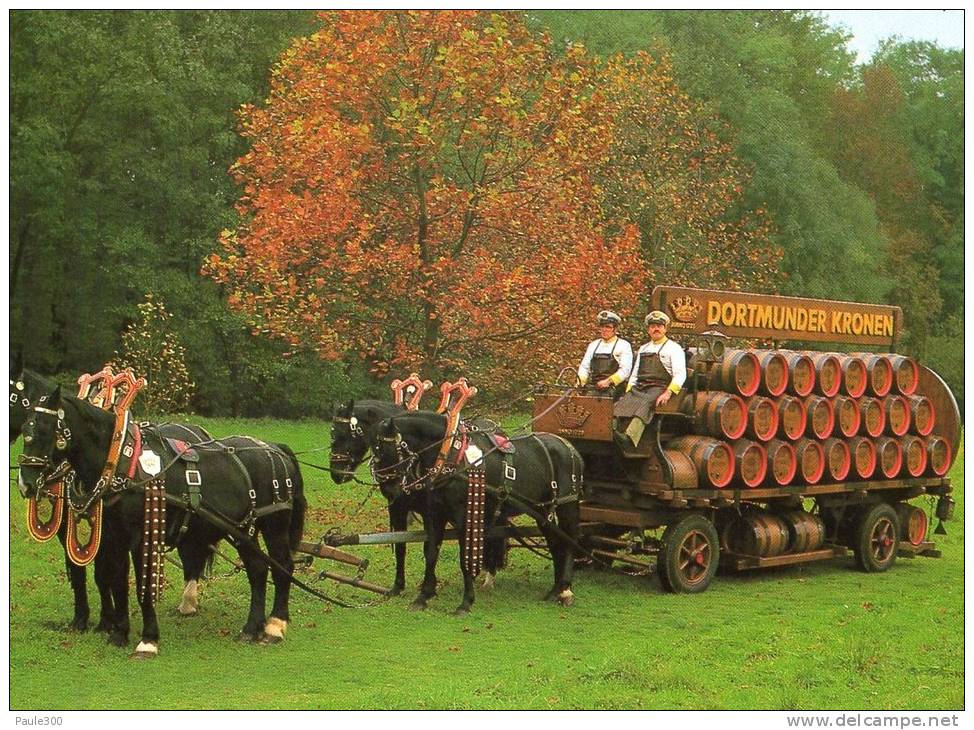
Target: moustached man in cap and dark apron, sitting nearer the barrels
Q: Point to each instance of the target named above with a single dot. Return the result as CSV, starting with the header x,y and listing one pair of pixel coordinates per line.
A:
x,y
657,375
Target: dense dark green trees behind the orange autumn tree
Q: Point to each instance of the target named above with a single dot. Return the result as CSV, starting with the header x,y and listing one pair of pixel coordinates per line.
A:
x,y
123,127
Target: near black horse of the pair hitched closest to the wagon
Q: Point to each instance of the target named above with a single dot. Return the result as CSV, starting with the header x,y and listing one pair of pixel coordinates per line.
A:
x,y
406,449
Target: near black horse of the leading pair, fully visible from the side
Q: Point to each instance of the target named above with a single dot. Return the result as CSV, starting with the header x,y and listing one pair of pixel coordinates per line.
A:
x,y
227,487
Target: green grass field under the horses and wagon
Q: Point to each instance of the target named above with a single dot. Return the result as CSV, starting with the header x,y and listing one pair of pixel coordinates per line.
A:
x,y
822,636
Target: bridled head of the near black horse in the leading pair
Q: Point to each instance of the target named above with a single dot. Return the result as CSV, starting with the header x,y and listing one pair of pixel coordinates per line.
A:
x,y
47,439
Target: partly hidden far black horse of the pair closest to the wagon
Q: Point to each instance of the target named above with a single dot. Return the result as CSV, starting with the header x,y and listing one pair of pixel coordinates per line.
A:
x,y
352,433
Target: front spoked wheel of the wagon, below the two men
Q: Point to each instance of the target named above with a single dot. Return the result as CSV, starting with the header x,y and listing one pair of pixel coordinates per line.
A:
x,y
689,555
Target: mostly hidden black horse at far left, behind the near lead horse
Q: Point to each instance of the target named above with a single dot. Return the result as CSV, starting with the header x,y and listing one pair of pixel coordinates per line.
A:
x,y
27,390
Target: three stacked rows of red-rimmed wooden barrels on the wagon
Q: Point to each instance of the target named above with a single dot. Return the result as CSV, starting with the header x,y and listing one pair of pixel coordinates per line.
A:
x,y
778,417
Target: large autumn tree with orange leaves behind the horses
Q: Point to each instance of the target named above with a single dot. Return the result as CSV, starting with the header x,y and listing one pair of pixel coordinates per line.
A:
x,y
440,190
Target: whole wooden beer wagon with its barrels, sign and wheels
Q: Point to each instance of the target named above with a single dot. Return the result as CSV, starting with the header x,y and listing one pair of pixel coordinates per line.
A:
x,y
767,457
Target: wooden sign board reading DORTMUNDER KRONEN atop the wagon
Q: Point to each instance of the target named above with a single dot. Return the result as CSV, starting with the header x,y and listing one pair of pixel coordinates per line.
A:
x,y
780,318
